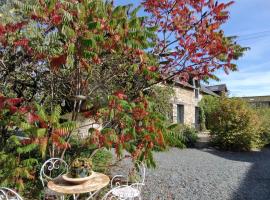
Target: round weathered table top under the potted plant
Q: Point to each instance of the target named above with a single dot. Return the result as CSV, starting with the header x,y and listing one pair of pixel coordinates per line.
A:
x,y
96,182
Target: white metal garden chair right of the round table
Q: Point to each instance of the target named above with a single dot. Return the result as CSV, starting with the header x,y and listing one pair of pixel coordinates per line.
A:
x,y
126,191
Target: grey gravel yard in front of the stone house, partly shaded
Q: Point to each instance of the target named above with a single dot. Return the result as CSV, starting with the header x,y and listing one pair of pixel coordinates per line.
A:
x,y
208,174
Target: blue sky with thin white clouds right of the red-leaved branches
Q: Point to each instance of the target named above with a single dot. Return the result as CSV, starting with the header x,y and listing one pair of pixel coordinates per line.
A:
x,y
250,20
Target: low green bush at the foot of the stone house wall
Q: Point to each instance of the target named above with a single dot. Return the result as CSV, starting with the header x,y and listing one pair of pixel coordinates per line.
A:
x,y
181,136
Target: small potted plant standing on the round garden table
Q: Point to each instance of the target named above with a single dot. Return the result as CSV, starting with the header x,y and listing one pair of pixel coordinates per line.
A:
x,y
81,167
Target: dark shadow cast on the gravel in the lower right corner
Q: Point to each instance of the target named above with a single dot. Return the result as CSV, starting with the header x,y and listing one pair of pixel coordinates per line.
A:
x,y
256,184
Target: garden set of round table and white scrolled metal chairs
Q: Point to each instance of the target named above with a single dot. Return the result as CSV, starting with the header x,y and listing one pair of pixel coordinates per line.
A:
x,y
56,186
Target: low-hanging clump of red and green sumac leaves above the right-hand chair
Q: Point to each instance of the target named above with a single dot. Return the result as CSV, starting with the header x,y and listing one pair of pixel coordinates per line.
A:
x,y
132,126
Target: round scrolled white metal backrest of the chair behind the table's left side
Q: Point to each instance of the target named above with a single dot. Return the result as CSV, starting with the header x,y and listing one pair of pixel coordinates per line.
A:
x,y
52,168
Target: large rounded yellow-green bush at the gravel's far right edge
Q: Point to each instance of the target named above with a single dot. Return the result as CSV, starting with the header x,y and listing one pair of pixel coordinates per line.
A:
x,y
234,125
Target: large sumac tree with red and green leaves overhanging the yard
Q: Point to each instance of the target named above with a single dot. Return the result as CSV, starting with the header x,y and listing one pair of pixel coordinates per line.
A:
x,y
100,60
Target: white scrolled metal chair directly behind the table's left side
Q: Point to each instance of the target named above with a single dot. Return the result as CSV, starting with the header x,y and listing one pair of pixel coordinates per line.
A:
x,y
52,169
